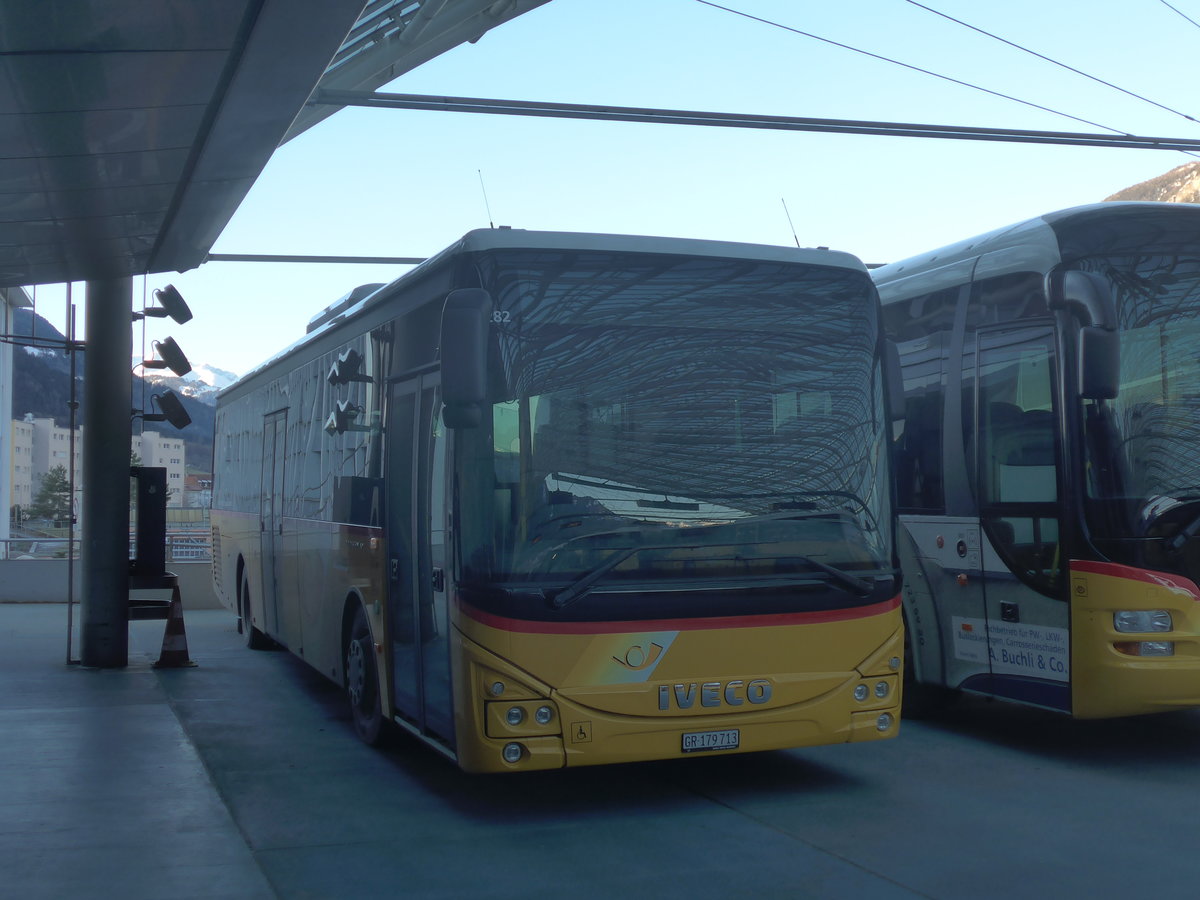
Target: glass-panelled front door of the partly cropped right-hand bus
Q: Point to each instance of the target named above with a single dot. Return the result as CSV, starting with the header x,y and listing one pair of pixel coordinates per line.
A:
x,y
1018,490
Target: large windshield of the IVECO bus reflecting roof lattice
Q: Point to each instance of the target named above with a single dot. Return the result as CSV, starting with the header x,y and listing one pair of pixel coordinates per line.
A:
x,y
669,421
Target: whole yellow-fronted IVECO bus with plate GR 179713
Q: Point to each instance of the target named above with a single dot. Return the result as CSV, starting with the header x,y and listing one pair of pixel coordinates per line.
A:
x,y
563,500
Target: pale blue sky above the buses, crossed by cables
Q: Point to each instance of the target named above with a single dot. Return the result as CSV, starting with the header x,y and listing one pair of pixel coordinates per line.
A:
x,y
391,183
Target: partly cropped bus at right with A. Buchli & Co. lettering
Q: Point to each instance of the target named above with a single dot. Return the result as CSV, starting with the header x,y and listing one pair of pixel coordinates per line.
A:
x,y
1048,477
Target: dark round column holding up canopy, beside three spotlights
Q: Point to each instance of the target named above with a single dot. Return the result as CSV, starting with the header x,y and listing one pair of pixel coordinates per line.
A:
x,y
105,608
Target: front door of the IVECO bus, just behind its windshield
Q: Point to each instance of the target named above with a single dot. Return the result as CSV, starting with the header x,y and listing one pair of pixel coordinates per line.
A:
x,y
417,598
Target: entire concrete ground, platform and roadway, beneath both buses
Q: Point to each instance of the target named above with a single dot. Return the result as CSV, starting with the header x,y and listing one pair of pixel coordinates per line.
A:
x,y
242,778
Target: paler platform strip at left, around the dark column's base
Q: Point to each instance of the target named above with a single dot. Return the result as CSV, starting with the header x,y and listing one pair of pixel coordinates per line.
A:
x,y
103,795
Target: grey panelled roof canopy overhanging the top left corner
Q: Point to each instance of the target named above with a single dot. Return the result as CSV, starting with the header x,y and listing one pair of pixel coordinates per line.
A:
x,y
131,130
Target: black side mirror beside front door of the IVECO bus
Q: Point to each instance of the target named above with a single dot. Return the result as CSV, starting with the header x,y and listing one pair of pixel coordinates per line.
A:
x,y
466,323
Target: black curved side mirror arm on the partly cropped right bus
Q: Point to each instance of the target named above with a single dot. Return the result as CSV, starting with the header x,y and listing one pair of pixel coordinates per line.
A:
x,y
1089,298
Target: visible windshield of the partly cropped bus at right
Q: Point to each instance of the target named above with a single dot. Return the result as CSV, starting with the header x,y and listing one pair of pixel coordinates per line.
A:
x,y
1143,448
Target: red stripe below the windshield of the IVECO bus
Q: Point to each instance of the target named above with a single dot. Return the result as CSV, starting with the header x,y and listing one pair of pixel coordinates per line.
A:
x,y
640,626
